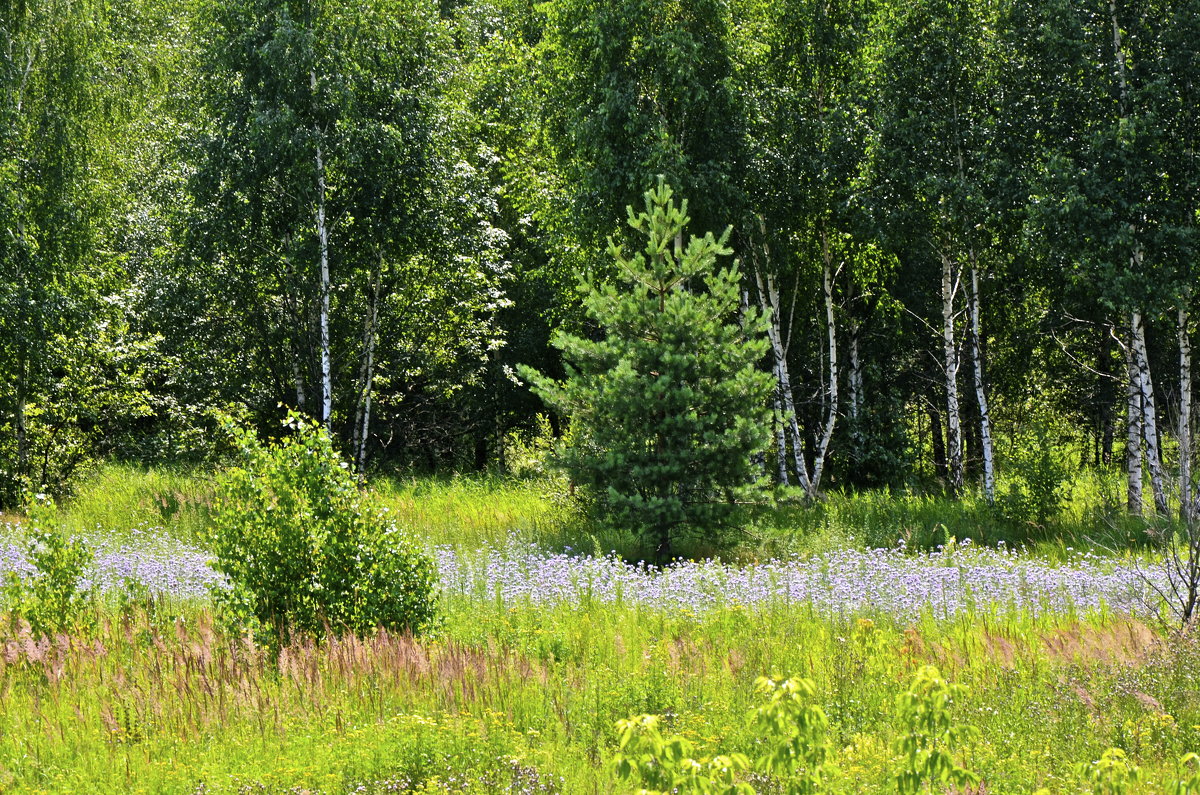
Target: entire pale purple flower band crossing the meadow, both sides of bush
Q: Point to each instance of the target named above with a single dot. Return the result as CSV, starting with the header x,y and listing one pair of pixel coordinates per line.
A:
x,y
875,583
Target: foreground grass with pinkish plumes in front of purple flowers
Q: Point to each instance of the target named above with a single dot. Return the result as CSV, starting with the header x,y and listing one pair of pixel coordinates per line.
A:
x,y
519,700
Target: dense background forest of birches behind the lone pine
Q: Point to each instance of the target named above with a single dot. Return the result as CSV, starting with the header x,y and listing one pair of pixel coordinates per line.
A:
x,y
975,223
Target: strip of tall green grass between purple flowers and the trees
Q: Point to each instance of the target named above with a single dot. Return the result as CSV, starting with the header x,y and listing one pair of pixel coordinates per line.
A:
x,y
489,511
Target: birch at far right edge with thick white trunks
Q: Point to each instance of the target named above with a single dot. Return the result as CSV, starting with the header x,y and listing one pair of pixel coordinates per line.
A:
x,y
1114,181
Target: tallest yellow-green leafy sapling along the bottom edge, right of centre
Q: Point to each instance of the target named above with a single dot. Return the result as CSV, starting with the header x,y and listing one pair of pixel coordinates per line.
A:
x,y
929,737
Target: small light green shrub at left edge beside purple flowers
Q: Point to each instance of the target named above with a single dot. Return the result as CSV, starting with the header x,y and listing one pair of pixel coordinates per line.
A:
x,y
53,600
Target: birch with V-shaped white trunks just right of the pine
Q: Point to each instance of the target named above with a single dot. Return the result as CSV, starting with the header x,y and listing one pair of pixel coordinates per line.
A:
x,y
800,67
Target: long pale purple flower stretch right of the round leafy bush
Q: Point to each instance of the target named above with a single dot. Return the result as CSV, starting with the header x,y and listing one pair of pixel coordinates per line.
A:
x,y
849,582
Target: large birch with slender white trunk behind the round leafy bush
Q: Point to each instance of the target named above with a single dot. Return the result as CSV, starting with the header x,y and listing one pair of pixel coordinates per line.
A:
x,y
339,210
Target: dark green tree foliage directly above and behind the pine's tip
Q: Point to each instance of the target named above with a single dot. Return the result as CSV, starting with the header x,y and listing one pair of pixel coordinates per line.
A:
x,y
637,88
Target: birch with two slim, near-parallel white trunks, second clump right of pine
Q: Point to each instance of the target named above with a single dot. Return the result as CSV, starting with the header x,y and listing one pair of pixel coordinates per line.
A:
x,y
934,121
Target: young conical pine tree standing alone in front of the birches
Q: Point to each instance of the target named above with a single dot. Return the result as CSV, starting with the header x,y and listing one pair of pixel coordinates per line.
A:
x,y
669,408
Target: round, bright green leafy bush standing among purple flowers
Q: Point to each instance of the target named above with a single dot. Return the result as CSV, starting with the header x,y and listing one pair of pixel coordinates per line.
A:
x,y
303,551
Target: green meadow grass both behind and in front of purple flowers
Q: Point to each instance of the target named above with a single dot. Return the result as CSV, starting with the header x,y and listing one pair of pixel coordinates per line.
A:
x,y
157,697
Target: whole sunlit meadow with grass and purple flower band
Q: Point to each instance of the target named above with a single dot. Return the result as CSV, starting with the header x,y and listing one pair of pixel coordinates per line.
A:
x,y
553,632
